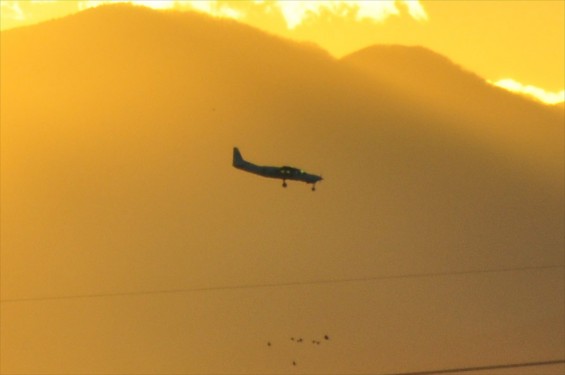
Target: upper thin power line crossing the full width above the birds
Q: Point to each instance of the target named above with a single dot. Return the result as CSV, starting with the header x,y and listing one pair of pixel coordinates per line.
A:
x,y
278,285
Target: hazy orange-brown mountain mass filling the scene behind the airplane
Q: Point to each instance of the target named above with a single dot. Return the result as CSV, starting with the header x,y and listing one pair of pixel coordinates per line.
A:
x,y
118,125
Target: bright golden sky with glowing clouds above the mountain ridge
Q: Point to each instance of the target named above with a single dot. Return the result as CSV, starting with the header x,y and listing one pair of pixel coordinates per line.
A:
x,y
517,44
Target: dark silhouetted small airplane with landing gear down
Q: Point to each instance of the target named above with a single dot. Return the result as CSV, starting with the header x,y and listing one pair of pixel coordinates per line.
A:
x,y
284,172
